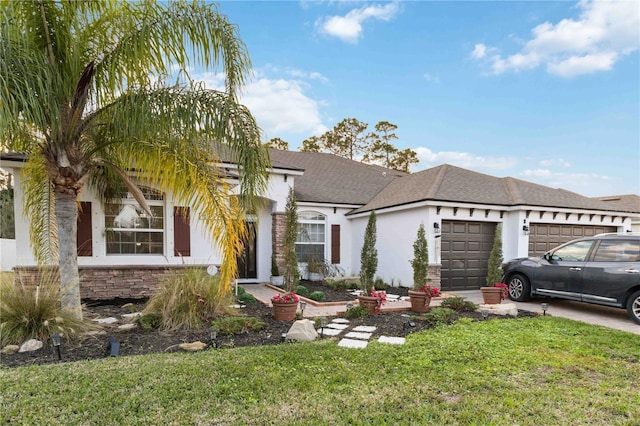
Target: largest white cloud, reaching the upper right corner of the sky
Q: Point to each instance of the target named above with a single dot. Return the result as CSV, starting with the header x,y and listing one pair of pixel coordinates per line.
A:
x,y
604,32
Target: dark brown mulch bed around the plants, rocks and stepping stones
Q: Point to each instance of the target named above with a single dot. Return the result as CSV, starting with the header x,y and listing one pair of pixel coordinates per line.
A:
x,y
138,341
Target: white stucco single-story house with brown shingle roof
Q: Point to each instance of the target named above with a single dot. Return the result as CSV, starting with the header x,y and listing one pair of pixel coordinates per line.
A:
x,y
124,254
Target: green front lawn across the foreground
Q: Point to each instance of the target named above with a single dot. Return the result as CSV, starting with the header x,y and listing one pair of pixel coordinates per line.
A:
x,y
531,371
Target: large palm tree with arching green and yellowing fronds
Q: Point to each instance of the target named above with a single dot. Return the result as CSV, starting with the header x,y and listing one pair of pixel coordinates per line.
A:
x,y
84,95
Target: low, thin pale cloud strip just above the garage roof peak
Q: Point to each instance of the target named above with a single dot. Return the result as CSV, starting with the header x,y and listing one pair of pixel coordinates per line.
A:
x,y
465,160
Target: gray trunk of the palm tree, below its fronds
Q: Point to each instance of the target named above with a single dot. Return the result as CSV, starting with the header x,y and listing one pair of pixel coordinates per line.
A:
x,y
67,220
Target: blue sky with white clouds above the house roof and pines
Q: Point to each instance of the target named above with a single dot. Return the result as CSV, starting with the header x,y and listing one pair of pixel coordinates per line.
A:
x,y
546,92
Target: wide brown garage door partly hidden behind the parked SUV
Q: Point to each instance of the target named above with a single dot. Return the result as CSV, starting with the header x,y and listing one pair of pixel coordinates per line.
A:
x,y
544,237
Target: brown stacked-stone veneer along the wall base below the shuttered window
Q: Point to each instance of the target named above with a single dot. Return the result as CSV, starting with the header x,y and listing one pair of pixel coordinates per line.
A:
x,y
110,282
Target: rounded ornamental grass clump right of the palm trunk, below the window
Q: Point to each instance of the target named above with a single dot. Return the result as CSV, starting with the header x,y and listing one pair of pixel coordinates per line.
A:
x,y
187,300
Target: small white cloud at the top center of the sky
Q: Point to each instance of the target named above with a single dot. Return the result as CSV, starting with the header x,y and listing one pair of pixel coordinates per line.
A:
x,y
349,27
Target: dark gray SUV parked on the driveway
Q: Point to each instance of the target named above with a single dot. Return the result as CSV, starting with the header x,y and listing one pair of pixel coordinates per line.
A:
x,y
604,269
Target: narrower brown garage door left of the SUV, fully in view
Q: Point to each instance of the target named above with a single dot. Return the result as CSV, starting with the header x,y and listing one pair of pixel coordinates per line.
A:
x,y
465,253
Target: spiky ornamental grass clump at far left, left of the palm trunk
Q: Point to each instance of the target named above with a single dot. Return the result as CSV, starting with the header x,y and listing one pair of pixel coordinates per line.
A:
x,y
33,311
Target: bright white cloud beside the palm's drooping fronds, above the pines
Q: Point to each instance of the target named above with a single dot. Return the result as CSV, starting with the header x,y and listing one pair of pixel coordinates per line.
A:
x,y
279,105
